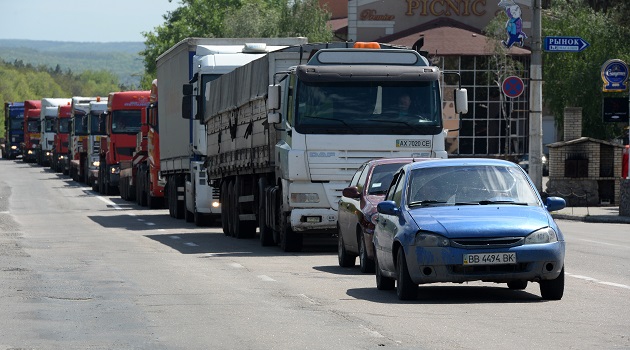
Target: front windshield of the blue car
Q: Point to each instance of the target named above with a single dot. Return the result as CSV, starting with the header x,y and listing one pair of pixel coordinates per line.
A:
x,y
470,185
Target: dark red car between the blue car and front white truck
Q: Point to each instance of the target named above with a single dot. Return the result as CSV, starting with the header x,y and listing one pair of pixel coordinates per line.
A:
x,y
357,207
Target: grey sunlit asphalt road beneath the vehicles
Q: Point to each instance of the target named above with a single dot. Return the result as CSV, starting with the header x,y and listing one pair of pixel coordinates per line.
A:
x,y
82,271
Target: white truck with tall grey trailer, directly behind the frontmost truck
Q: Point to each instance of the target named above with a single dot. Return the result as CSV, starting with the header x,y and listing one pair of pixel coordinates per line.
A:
x,y
195,62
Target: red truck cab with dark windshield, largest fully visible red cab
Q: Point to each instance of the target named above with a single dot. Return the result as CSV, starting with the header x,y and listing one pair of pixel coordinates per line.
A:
x,y
123,125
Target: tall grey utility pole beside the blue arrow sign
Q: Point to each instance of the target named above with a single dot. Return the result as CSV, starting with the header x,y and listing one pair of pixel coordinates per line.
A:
x,y
535,99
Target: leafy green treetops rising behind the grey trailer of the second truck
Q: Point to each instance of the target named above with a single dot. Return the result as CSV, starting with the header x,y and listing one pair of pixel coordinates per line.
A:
x,y
235,19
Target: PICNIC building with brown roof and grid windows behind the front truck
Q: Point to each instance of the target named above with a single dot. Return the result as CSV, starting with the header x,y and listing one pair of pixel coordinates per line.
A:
x,y
451,32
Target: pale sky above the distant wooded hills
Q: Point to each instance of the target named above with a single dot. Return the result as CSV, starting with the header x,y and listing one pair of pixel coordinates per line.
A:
x,y
82,20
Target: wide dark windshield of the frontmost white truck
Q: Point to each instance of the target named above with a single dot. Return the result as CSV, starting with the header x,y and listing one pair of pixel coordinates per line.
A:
x,y
371,108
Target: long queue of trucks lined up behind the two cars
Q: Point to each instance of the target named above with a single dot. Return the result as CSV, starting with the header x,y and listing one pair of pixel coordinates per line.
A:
x,y
261,134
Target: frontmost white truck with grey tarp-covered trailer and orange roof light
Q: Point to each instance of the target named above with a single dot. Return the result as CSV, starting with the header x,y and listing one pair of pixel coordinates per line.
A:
x,y
286,132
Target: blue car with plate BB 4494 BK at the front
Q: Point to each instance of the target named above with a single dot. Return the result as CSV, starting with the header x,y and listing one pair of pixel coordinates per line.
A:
x,y
459,220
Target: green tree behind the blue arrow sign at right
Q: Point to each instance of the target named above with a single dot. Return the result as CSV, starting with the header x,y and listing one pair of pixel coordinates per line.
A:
x,y
574,79
